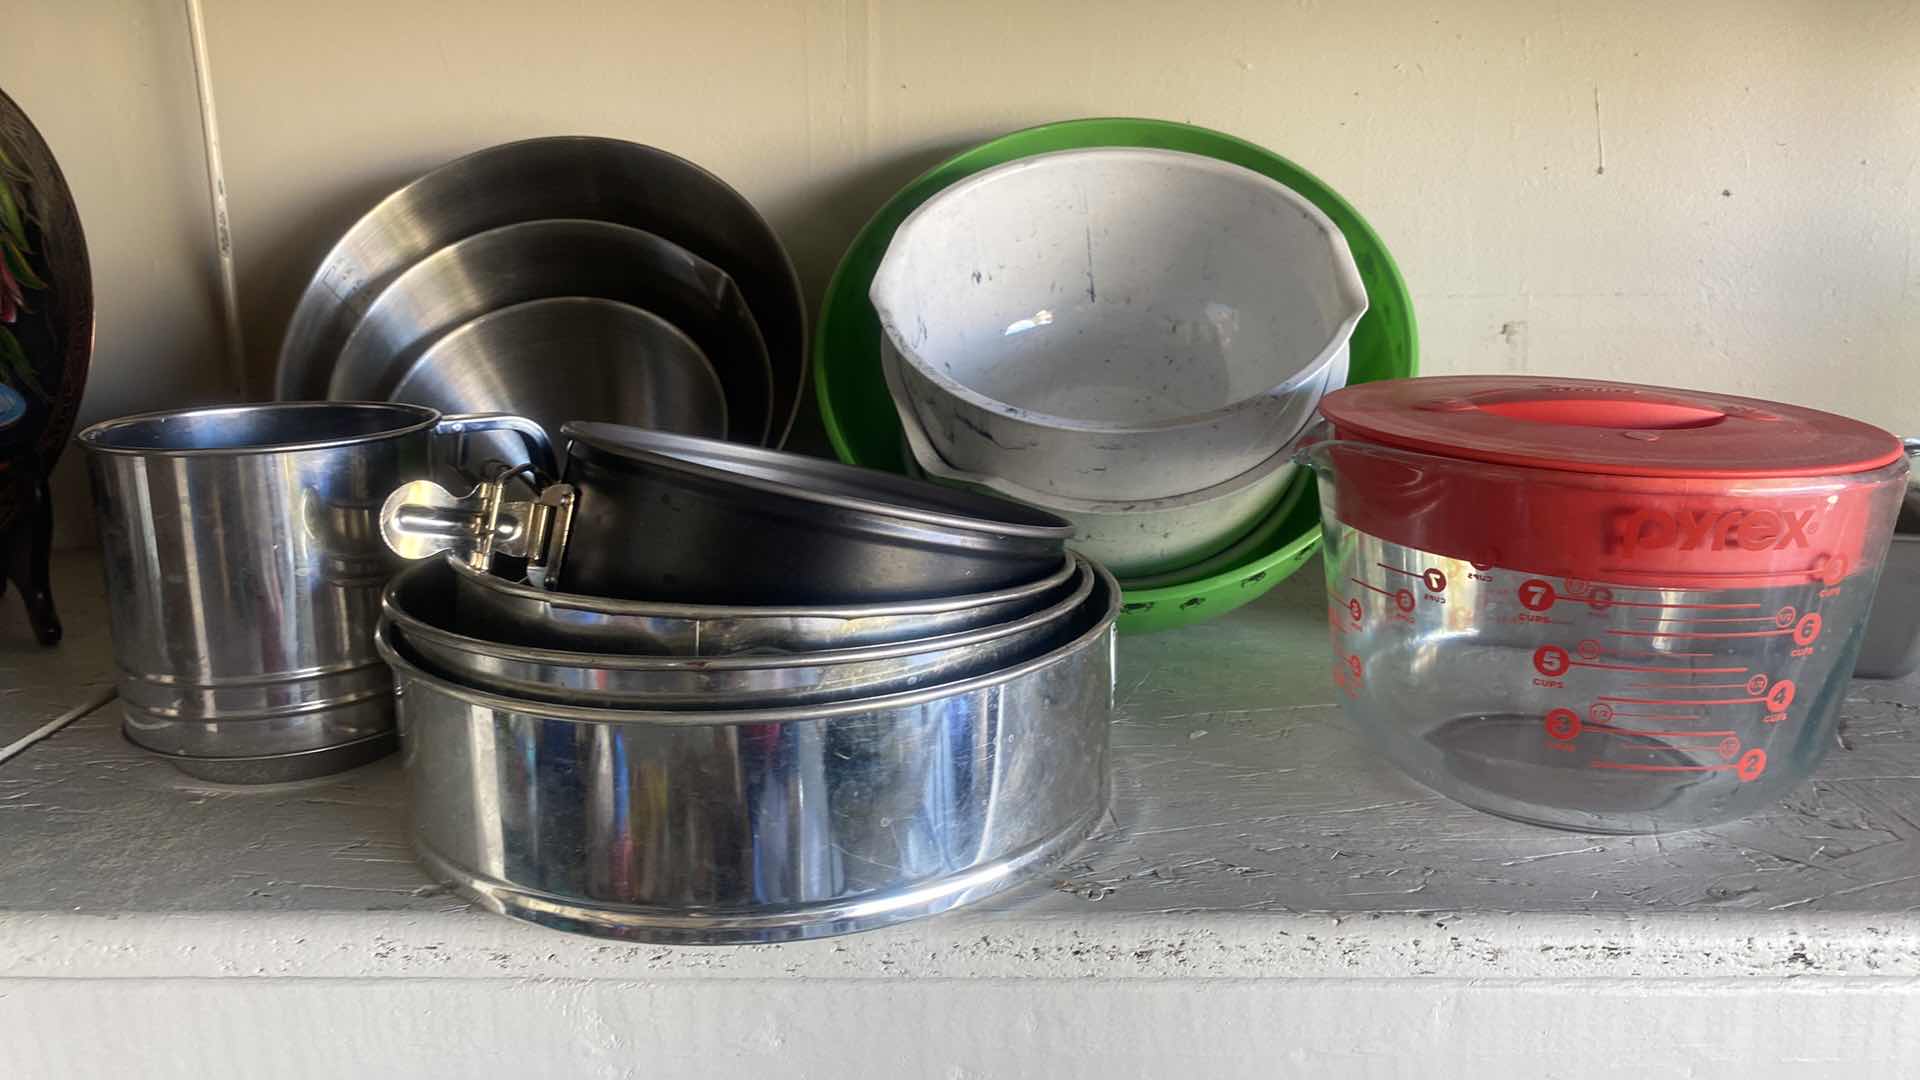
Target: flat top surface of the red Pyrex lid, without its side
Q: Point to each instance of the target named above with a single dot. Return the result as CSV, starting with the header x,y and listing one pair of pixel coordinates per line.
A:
x,y
1587,426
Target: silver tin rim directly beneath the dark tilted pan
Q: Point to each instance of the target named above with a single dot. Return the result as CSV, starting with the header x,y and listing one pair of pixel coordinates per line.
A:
x,y
491,606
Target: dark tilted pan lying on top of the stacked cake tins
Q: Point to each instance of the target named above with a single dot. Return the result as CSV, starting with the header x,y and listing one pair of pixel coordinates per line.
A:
x,y
704,522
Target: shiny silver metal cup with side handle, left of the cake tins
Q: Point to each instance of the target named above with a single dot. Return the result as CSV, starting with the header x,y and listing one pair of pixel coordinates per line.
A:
x,y
245,572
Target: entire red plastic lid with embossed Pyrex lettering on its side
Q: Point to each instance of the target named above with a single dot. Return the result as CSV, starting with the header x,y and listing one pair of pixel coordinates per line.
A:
x,y
1614,483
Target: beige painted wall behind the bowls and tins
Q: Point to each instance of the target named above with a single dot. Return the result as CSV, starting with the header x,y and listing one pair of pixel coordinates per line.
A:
x,y
1752,230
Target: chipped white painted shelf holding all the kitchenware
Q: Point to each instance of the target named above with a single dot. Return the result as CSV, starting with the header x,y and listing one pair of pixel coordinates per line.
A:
x,y
1257,854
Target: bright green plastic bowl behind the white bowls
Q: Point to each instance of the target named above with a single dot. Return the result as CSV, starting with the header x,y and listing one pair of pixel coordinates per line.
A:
x,y
865,430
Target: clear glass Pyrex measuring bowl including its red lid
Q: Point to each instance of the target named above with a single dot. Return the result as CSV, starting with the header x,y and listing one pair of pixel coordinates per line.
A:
x,y
1612,641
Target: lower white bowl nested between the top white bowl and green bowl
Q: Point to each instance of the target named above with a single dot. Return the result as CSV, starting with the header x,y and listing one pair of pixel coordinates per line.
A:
x,y
1130,539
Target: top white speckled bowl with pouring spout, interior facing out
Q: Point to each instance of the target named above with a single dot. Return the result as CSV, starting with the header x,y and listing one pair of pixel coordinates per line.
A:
x,y
1116,324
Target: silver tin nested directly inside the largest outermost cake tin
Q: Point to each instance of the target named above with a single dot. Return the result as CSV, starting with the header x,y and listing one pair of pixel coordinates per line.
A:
x,y
421,602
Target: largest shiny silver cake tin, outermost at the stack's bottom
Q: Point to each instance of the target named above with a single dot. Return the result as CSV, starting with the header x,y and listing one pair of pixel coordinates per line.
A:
x,y
765,825
